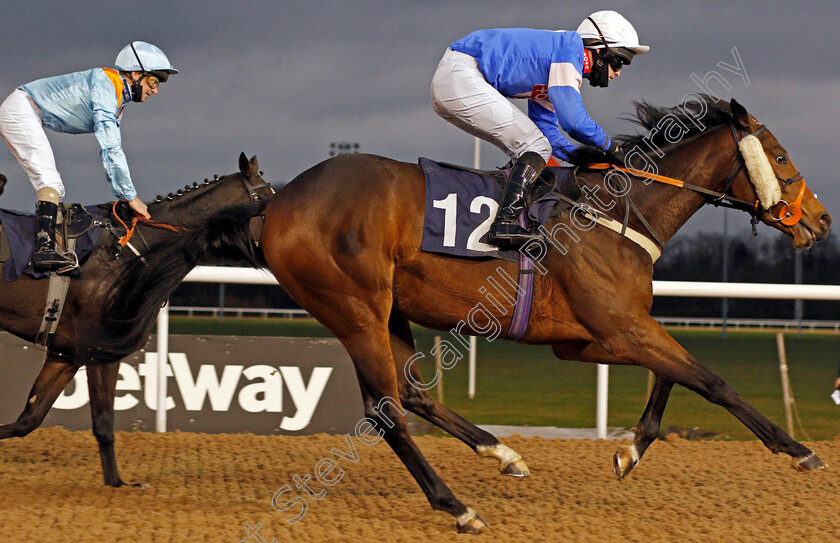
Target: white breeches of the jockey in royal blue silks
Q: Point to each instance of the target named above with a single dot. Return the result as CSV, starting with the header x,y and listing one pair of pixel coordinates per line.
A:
x,y
462,96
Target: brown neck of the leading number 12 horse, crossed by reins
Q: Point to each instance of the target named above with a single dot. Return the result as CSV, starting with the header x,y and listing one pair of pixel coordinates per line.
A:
x,y
698,162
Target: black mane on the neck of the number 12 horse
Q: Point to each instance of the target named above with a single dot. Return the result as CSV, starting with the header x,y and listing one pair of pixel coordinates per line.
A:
x,y
648,116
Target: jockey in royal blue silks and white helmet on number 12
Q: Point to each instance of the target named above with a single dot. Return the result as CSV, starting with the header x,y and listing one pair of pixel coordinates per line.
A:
x,y
479,72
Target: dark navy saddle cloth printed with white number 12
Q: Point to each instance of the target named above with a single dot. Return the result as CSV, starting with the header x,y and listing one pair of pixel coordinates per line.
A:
x,y
461,205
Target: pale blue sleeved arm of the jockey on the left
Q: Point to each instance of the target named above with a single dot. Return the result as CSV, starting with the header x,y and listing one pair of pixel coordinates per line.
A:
x,y
107,132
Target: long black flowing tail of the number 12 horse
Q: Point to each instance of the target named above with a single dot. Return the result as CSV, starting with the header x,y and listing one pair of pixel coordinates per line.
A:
x,y
144,285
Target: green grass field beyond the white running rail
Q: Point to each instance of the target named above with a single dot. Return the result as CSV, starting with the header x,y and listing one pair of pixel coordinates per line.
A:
x,y
526,385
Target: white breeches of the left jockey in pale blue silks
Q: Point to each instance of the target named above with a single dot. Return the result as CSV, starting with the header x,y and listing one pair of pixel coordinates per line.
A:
x,y
22,130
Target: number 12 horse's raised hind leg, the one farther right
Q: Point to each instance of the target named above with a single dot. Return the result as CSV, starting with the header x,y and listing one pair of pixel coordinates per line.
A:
x,y
420,402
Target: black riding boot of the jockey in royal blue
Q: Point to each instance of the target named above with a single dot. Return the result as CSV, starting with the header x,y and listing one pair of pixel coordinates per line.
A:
x,y
505,232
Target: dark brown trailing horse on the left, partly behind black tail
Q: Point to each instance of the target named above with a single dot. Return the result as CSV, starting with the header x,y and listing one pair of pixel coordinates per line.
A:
x,y
75,342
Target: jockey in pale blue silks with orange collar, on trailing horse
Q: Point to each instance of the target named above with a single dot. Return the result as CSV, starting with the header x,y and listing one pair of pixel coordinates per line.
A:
x,y
85,102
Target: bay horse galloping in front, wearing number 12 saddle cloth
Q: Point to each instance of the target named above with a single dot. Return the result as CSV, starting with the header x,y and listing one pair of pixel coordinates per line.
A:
x,y
344,240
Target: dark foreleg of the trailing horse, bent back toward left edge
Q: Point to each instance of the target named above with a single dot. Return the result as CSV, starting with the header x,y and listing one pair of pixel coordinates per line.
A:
x,y
54,376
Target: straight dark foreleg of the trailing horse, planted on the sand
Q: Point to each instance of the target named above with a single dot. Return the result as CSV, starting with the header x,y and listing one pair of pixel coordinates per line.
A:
x,y
102,385
